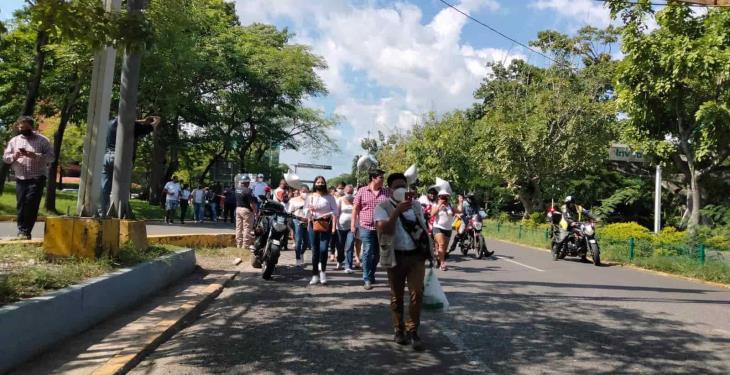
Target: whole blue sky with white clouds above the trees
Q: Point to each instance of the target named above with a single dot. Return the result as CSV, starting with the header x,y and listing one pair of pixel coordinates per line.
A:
x,y
391,62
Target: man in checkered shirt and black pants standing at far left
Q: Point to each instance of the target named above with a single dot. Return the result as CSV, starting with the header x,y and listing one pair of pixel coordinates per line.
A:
x,y
28,154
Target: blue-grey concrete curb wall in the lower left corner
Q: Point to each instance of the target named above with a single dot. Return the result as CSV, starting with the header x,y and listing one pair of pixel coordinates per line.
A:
x,y
29,327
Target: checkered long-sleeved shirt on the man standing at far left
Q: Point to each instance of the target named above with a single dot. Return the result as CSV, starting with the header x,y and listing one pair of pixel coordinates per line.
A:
x,y
26,168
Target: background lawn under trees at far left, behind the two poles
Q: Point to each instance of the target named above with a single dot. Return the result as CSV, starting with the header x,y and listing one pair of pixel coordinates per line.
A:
x,y
66,204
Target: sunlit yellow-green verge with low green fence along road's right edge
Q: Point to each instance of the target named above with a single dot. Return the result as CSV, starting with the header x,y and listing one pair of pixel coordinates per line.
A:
x,y
680,259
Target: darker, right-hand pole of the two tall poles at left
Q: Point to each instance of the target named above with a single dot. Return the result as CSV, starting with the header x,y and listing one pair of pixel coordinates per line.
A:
x,y
119,204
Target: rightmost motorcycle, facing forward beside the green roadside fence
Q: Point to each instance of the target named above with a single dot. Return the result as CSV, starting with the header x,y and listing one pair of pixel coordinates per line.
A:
x,y
581,240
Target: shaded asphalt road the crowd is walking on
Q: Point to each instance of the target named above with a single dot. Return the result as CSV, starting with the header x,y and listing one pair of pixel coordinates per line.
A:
x,y
518,313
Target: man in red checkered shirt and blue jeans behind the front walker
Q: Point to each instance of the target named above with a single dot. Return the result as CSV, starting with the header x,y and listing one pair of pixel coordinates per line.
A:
x,y
366,200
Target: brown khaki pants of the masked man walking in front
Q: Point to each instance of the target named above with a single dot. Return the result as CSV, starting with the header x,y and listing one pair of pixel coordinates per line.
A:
x,y
410,269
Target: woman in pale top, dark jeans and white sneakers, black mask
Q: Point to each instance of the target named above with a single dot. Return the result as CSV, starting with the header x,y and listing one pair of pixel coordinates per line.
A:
x,y
321,209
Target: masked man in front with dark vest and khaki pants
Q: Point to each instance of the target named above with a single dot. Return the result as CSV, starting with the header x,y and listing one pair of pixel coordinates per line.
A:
x,y
405,247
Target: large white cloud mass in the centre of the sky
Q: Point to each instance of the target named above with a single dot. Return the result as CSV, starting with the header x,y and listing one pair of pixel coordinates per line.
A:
x,y
414,65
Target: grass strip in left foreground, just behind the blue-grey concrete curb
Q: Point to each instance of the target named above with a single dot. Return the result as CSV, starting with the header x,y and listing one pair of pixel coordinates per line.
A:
x,y
26,272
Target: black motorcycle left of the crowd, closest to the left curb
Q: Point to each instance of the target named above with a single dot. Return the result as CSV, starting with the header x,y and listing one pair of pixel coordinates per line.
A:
x,y
272,233
